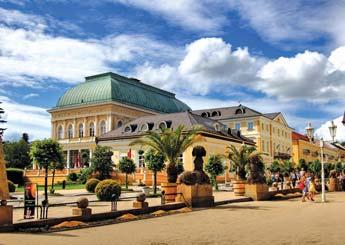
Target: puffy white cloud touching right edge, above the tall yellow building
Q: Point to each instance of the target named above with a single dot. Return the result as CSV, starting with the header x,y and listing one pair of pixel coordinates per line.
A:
x,y
309,75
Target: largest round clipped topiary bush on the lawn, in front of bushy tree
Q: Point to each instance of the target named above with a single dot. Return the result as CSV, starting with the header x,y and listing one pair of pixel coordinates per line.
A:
x,y
106,189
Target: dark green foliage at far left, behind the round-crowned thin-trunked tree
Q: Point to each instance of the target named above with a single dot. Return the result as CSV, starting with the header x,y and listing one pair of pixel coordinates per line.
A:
x,y
17,154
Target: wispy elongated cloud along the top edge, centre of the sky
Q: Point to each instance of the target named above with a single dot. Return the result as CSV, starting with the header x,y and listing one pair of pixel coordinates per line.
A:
x,y
195,15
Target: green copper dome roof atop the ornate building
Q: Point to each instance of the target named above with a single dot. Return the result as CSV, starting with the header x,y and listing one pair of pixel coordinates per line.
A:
x,y
109,87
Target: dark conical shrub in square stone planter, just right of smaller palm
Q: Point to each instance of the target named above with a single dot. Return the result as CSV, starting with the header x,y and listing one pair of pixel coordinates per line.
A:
x,y
256,187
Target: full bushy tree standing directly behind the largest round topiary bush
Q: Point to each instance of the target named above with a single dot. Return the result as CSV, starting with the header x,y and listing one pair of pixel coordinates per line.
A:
x,y
101,162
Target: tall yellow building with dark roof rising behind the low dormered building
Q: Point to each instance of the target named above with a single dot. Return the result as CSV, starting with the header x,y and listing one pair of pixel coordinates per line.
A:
x,y
270,131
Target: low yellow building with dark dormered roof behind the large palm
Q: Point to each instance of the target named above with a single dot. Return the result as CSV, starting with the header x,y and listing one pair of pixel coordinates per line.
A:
x,y
215,137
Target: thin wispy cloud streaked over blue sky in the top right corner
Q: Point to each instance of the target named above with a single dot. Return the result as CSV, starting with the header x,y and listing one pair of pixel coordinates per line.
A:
x,y
299,21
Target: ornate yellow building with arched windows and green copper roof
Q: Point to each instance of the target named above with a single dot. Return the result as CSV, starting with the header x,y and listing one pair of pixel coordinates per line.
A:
x,y
103,103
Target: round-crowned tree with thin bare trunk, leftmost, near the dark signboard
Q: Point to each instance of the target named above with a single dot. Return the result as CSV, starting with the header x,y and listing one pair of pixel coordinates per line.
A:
x,y
46,153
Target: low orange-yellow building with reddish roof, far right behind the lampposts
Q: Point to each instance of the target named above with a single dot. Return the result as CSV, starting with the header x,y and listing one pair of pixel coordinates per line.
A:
x,y
310,151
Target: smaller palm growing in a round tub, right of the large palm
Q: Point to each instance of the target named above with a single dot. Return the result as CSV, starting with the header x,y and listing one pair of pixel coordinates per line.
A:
x,y
239,159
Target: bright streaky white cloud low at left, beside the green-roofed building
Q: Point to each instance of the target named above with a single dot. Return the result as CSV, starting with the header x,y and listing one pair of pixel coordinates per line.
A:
x,y
23,118
